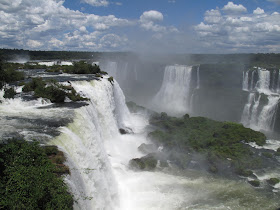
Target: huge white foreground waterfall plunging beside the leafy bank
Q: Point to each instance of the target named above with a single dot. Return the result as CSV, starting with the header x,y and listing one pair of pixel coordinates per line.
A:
x,y
92,181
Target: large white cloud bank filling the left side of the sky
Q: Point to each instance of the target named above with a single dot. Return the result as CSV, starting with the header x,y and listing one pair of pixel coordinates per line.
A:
x,y
41,24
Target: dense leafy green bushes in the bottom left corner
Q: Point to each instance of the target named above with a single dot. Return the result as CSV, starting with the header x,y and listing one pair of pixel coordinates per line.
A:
x,y
28,179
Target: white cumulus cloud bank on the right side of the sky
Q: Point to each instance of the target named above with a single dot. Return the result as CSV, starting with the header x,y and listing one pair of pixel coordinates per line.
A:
x,y
255,32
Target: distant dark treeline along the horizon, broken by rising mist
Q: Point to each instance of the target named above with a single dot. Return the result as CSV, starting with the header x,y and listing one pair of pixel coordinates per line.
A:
x,y
260,59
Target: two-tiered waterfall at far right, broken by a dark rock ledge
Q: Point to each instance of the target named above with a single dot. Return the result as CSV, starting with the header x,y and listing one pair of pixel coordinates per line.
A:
x,y
261,109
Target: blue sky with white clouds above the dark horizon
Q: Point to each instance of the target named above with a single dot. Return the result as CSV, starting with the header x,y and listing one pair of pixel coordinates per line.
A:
x,y
164,26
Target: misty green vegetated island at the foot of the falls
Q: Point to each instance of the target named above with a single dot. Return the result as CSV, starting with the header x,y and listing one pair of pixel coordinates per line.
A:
x,y
217,141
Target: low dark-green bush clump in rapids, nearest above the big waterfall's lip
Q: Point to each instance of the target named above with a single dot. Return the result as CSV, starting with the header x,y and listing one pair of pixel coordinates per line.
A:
x,y
52,90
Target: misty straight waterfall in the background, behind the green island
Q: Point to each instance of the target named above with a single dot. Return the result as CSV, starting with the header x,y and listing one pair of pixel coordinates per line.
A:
x,y
175,93
